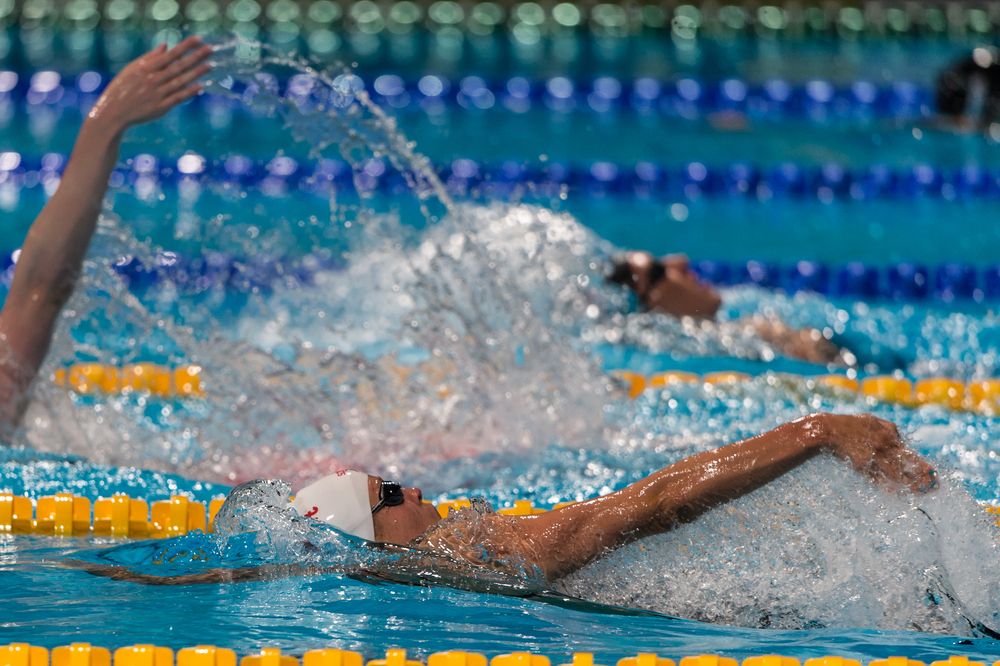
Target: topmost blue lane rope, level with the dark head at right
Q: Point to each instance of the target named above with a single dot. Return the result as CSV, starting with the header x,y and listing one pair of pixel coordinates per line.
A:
x,y
817,99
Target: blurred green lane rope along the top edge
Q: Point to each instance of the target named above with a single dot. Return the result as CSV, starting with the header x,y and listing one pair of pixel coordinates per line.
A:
x,y
520,22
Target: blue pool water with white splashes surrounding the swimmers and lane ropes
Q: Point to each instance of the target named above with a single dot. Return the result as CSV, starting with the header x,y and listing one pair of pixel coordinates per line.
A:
x,y
462,344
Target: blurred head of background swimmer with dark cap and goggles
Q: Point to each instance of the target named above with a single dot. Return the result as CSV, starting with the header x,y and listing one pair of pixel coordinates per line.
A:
x,y
669,285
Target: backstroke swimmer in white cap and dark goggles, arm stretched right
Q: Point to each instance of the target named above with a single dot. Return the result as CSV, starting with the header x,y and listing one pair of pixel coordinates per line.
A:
x,y
558,542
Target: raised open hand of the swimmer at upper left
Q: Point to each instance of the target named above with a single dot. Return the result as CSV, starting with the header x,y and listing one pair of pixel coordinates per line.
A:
x,y
151,85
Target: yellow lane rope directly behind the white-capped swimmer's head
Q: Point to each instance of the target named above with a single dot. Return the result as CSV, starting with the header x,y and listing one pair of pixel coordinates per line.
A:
x,y
121,516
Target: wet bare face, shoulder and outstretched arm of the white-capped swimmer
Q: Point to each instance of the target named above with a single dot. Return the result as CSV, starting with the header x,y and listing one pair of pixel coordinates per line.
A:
x,y
560,541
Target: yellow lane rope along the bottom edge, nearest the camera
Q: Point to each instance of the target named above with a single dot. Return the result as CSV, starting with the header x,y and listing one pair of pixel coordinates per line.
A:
x,y
84,654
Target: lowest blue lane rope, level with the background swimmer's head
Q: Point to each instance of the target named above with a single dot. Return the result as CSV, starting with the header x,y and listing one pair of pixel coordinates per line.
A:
x,y
904,281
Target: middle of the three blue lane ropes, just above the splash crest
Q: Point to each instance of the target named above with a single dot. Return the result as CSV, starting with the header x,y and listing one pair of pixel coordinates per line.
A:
x,y
284,174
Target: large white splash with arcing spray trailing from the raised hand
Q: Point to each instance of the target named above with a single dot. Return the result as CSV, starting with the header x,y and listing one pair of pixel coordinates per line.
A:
x,y
493,375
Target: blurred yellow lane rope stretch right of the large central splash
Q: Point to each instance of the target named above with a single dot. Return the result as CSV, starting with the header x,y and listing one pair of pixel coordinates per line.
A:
x,y
978,396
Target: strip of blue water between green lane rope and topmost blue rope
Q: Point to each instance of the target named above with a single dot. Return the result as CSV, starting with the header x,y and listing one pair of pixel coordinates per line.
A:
x,y
578,54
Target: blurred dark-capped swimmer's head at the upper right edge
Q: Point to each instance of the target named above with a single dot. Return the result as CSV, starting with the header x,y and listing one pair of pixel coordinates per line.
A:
x,y
968,91
